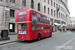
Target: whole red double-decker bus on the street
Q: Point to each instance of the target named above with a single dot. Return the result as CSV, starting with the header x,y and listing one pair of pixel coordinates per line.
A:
x,y
32,24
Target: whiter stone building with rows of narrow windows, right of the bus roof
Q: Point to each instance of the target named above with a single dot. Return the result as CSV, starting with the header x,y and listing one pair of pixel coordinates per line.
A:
x,y
58,12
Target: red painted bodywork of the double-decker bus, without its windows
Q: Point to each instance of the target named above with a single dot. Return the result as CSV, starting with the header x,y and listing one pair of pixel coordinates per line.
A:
x,y
30,34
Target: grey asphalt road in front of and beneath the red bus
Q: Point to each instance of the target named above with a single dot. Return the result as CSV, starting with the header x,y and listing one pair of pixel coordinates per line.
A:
x,y
59,41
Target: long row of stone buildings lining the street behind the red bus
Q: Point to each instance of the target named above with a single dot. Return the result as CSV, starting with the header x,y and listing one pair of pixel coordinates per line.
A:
x,y
56,9
